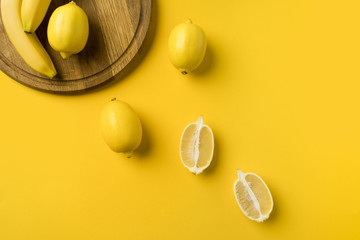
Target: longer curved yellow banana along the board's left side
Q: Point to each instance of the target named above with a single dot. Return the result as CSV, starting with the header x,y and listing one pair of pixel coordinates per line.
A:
x,y
27,45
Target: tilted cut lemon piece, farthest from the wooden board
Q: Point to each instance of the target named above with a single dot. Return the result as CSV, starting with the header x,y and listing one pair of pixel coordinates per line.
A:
x,y
253,196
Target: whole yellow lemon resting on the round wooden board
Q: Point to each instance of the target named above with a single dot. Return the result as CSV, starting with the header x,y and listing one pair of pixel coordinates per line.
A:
x,y
68,29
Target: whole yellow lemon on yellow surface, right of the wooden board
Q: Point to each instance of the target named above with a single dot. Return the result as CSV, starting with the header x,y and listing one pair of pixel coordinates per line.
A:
x,y
186,46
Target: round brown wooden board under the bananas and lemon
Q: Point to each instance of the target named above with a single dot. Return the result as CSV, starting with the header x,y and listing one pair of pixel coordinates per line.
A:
x,y
117,31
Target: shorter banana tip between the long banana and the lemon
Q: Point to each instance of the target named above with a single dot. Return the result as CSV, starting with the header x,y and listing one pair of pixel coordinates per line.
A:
x,y
32,13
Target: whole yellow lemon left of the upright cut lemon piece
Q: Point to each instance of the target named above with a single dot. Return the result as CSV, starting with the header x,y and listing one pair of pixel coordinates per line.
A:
x,y
120,127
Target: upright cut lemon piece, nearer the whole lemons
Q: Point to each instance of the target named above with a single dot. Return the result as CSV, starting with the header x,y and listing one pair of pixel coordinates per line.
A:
x,y
197,146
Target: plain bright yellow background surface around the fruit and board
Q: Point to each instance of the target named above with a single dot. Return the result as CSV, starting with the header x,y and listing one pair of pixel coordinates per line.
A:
x,y
279,86
